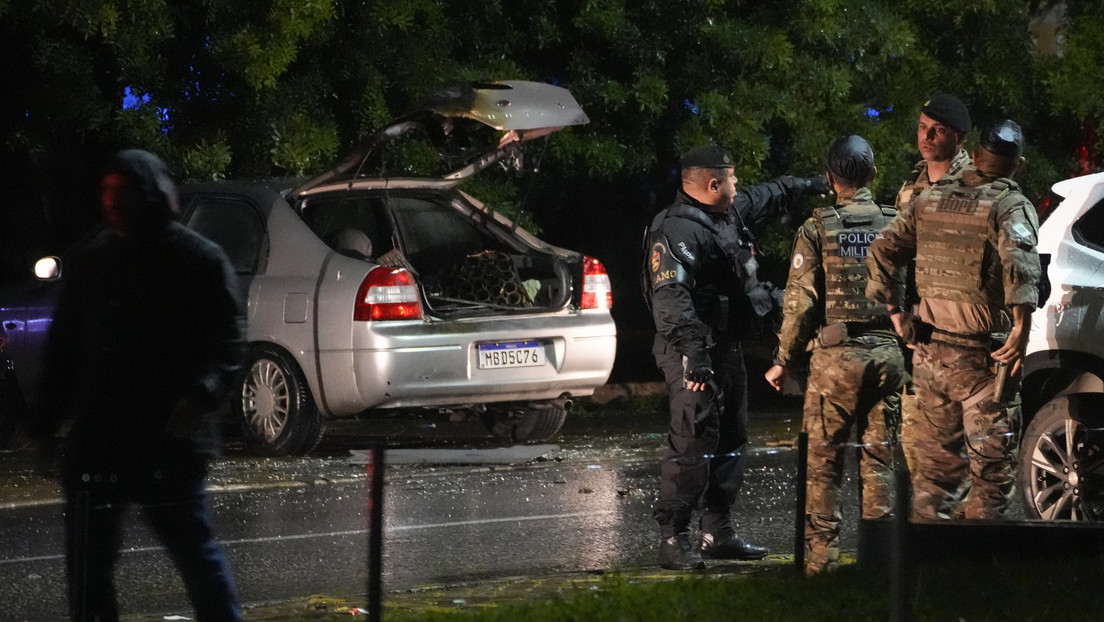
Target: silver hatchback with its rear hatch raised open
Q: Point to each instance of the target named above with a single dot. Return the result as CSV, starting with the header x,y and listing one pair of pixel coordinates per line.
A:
x,y
385,290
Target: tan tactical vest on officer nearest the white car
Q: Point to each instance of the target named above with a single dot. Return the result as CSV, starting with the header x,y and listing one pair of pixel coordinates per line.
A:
x,y
952,236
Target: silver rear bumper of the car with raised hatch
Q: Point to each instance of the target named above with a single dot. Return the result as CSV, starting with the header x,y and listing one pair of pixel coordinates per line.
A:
x,y
439,364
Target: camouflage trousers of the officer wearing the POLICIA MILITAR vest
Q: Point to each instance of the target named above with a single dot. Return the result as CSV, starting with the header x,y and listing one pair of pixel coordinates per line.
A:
x,y
852,387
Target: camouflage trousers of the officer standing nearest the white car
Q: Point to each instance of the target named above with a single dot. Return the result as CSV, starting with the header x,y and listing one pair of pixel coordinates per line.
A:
x,y
961,441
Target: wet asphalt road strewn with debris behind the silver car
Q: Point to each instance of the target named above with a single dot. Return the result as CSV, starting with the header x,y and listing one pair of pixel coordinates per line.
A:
x,y
299,528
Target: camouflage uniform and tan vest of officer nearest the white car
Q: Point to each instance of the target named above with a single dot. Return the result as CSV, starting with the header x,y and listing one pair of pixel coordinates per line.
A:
x,y
974,243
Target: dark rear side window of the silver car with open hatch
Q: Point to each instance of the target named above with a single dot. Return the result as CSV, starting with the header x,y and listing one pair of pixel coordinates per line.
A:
x,y
235,225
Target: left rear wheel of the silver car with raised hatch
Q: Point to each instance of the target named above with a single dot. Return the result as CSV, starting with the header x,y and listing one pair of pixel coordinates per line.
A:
x,y
275,408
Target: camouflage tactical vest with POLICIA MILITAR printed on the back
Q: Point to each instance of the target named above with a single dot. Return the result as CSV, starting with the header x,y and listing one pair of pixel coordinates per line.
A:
x,y
848,234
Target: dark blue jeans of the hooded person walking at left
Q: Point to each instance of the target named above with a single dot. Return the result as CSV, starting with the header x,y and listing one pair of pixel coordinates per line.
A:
x,y
171,493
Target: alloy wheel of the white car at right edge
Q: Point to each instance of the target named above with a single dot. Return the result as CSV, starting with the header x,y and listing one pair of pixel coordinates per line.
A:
x,y
1063,460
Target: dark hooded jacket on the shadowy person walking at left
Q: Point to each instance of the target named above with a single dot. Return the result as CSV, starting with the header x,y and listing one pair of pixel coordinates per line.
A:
x,y
143,322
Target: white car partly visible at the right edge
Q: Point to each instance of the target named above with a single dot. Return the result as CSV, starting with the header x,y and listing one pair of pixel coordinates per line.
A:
x,y
1061,471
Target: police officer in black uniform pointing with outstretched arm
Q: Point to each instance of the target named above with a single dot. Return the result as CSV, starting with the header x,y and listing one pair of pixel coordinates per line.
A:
x,y
705,297
